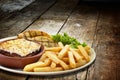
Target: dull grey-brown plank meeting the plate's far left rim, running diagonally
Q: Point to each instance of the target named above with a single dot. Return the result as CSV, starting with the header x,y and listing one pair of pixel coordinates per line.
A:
x,y
22,19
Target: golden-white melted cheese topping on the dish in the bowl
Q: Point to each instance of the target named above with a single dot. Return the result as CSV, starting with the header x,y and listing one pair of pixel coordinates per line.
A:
x,y
21,47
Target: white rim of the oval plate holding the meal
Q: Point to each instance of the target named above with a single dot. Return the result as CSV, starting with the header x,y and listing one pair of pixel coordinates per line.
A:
x,y
92,55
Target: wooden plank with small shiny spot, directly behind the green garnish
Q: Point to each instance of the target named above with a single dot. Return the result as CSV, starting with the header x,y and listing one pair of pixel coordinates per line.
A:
x,y
82,25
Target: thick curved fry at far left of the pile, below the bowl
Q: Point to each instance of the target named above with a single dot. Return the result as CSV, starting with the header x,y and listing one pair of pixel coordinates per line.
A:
x,y
30,67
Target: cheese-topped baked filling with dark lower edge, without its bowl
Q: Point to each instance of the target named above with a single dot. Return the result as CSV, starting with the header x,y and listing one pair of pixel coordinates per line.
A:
x,y
19,48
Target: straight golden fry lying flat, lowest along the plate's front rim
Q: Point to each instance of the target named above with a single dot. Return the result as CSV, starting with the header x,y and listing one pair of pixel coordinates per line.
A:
x,y
47,69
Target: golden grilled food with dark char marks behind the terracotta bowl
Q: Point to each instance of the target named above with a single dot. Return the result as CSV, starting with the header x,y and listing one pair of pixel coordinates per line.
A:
x,y
39,36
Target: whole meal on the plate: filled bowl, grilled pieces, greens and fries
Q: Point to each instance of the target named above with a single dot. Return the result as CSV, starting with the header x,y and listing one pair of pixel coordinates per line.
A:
x,y
37,51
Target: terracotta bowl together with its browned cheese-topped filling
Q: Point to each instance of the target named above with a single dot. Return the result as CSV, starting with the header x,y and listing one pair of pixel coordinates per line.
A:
x,y
16,53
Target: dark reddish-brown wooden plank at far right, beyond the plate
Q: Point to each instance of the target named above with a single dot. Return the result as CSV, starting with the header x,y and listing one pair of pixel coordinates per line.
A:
x,y
106,44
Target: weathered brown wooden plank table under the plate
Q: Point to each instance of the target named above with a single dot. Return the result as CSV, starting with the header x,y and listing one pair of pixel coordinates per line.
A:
x,y
98,26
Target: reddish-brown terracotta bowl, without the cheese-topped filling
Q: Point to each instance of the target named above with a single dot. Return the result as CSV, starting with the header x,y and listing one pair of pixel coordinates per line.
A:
x,y
19,62
